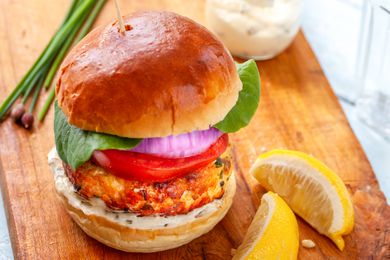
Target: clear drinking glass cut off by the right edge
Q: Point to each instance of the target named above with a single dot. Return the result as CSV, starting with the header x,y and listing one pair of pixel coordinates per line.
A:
x,y
373,105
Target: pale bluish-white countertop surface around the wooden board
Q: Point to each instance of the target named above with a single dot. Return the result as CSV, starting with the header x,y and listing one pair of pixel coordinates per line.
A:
x,y
332,29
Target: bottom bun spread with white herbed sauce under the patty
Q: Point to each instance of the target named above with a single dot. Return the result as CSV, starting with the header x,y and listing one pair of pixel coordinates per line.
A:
x,y
131,233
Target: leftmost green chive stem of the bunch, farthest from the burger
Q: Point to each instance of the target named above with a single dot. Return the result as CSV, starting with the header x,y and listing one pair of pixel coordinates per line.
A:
x,y
46,56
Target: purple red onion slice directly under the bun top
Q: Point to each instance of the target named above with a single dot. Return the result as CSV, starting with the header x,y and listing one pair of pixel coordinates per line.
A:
x,y
179,146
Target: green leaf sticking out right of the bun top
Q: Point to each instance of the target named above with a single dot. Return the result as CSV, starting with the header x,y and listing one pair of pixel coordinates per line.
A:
x,y
248,100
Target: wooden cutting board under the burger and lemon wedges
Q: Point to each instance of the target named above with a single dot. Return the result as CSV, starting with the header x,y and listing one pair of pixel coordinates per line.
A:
x,y
298,110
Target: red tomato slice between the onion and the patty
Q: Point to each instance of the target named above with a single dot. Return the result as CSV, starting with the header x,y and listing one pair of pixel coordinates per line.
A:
x,y
151,168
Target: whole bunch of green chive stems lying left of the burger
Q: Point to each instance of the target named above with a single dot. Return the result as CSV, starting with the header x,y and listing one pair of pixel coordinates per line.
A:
x,y
53,54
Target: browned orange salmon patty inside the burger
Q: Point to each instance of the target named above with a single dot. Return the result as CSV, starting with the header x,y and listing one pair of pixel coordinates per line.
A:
x,y
177,196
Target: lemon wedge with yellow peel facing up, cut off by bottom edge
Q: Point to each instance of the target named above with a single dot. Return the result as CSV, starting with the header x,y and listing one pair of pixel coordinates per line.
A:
x,y
273,233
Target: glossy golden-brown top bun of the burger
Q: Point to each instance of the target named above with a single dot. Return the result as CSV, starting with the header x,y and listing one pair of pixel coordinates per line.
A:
x,y
164,75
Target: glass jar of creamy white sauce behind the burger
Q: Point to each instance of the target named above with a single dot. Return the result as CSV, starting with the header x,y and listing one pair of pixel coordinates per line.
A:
x,y
258,29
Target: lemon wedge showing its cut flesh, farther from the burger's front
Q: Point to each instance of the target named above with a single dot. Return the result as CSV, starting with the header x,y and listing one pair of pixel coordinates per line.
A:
x,y
310,188
